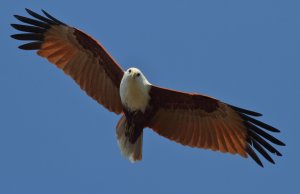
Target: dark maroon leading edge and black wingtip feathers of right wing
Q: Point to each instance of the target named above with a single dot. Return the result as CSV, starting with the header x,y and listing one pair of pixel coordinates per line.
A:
x,y
256,136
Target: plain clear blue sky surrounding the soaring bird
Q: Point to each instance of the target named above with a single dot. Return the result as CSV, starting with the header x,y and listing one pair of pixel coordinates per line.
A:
x,y
55,139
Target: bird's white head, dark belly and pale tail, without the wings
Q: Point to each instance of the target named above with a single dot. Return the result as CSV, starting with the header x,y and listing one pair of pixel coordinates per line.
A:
x,y
135,98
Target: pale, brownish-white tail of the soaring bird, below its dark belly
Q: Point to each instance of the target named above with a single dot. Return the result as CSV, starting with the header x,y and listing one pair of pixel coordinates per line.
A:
x,y
133,152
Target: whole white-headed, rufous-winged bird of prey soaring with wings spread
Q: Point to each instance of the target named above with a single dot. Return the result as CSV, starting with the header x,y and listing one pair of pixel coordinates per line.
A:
x,y
190,119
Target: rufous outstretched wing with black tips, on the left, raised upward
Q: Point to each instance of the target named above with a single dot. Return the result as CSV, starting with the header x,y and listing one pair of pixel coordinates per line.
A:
x,y
76,53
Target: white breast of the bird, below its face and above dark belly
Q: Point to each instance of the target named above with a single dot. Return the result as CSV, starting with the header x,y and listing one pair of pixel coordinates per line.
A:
x,y
134,93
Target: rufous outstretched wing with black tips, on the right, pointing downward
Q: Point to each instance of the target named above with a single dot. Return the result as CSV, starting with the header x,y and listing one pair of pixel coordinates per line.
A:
x,y
204,122
